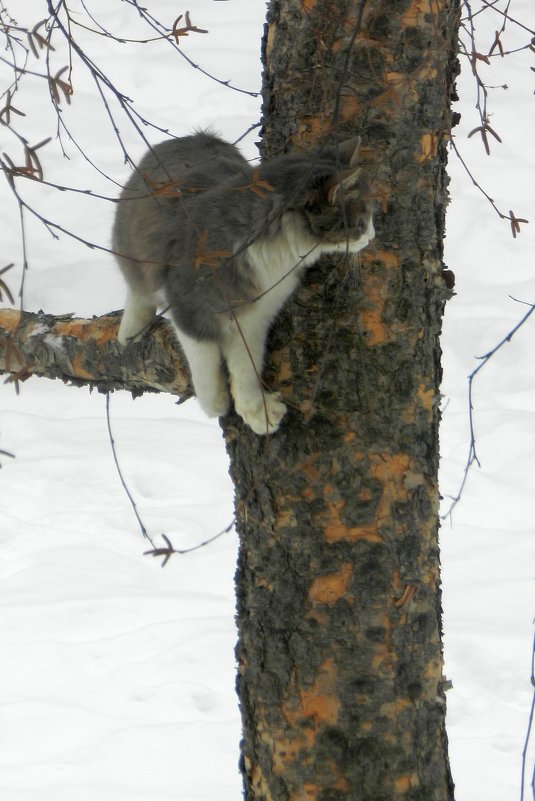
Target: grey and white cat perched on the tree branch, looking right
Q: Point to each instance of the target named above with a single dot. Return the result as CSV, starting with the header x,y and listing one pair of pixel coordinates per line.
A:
x,y
222,244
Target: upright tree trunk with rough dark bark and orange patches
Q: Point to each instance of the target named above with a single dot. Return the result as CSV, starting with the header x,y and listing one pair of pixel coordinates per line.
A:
x,y
340,663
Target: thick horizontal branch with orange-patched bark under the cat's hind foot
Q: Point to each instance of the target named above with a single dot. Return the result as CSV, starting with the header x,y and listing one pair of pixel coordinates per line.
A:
x,y
86,353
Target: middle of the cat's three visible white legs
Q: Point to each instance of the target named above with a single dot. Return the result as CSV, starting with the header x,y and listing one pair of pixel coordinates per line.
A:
x,y
209,382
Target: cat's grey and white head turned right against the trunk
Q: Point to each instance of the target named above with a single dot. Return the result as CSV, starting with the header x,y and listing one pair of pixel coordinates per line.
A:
x,y
329,192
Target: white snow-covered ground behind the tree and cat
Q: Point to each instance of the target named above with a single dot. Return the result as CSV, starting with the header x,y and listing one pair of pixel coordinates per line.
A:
x,y
117,677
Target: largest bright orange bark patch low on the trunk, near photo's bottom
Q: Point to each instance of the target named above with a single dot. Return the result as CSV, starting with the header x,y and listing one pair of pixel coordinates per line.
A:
x,y
318,702
